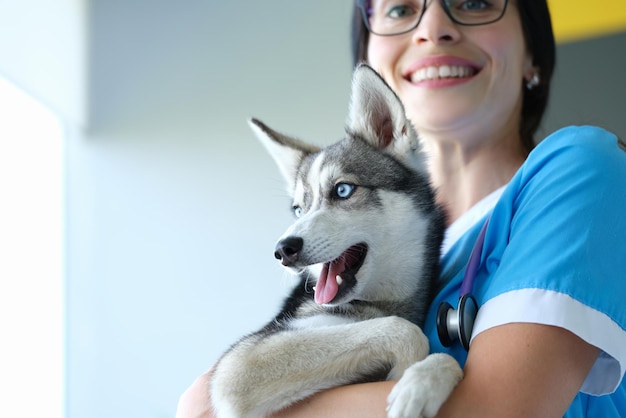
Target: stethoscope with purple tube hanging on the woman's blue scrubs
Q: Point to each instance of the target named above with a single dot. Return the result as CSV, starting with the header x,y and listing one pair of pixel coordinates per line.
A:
x,y
458,324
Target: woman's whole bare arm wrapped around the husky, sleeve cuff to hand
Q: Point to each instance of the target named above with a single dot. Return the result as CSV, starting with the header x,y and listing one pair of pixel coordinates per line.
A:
x,y
514,370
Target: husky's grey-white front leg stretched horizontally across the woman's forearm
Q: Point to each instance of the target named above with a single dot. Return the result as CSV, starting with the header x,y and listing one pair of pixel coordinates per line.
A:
x,y
266,373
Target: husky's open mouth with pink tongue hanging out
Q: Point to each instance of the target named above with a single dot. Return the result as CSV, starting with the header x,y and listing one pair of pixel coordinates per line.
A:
x,y
338,276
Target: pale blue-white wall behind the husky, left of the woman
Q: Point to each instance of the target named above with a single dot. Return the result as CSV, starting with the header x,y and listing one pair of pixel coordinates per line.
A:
x,y
172,207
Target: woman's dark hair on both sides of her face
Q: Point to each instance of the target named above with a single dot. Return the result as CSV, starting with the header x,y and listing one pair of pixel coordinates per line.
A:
x,y
537,28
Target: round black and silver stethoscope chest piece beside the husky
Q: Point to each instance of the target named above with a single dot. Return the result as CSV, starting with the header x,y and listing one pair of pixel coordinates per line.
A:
x,y
453,324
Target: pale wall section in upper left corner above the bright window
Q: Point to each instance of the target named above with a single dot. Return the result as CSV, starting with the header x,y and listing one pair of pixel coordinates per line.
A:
x,y
42,50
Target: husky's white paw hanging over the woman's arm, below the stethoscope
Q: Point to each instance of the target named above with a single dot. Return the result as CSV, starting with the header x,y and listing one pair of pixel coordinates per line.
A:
x,y
424,387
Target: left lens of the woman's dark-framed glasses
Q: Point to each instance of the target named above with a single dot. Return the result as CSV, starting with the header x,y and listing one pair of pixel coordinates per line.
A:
x,y
391,17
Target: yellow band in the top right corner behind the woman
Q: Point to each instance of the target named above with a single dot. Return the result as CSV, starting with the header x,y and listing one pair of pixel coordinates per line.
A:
x,y
578,19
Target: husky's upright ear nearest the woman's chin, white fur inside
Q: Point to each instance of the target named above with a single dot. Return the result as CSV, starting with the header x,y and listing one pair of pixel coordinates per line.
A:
x,y
377,115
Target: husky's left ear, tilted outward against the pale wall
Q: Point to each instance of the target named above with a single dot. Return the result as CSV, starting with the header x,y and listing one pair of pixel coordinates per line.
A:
x,y
287,152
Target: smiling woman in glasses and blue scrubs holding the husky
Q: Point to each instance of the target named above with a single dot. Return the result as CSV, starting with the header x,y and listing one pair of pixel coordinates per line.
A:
x,y
549,339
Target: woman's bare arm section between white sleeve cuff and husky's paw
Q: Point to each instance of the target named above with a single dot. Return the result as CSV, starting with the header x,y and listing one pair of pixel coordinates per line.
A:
x,y
521,370
